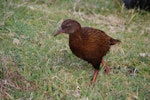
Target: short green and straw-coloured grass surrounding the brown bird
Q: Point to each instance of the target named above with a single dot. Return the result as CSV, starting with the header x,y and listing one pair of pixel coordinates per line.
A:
x,y
35,65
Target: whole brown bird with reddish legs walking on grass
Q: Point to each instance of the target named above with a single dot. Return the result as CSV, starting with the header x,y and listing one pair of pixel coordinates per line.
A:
x,y
87,43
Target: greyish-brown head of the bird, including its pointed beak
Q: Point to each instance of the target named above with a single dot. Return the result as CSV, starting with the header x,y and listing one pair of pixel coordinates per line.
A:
x,y
68,26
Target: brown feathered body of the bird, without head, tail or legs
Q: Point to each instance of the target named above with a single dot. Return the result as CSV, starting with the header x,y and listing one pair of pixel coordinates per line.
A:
x,y
90,44
